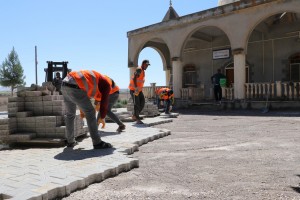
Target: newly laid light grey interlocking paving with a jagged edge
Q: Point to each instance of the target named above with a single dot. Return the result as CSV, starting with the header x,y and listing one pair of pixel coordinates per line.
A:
x,y
47,173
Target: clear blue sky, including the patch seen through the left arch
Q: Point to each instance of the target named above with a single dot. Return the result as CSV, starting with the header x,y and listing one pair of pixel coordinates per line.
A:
x,y
90,34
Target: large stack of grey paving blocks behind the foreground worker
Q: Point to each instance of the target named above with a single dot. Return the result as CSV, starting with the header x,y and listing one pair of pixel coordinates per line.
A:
x,y
37,113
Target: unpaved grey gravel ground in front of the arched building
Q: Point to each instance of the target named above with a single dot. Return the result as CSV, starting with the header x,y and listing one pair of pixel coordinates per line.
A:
x,y
213,155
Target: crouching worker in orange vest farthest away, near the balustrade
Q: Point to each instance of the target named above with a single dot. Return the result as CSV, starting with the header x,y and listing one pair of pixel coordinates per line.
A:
x,y
167,96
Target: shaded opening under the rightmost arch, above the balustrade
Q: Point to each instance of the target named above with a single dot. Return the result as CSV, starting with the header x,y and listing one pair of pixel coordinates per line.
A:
x,y
270,42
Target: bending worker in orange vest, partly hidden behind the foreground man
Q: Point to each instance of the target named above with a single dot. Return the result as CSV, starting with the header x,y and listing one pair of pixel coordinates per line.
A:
x,y
113,97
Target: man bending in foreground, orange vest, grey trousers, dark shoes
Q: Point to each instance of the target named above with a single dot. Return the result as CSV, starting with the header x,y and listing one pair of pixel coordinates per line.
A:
x,y
77,89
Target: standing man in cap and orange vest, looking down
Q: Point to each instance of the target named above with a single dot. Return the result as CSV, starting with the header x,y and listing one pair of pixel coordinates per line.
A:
x,y
136,90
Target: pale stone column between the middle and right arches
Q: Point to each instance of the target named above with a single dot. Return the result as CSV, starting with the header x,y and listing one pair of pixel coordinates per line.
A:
x,y
239,73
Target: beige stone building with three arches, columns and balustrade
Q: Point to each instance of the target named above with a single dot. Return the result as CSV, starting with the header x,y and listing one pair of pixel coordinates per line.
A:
x,y
256,43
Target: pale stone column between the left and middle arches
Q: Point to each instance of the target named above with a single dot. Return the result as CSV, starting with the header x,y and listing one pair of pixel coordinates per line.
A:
x,y
177,77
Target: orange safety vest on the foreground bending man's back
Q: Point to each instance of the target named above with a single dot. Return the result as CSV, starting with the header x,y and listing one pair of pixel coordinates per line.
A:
x,y
88,81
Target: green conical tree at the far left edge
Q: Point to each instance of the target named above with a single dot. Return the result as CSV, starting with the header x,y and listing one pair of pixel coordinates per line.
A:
x,y
11,72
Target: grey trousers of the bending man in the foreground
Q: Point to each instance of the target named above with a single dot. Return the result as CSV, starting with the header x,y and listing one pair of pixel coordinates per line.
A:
x,y
73,97
